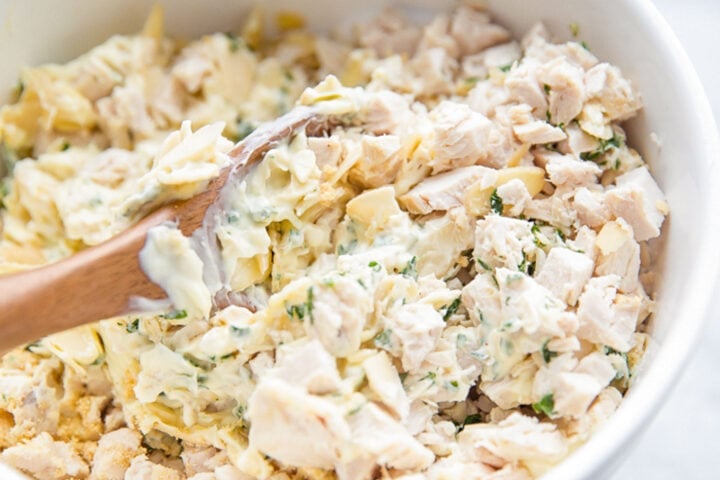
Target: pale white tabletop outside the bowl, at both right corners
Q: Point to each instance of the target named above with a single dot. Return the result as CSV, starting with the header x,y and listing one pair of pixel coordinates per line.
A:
x,y
683,442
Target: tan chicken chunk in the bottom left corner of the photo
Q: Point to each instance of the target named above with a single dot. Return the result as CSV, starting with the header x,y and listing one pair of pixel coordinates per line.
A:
x,y
43,457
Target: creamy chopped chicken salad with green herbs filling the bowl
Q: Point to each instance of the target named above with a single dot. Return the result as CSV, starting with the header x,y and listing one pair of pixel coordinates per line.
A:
x,y
452,281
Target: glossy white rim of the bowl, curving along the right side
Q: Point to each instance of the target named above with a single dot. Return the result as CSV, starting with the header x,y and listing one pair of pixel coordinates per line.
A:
x,y
601,452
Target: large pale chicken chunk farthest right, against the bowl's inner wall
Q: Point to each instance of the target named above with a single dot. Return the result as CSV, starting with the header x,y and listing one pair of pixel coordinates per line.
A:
x,y
638,200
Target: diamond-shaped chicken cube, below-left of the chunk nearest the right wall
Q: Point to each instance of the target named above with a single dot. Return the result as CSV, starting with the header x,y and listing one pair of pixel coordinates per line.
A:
x,y
565,273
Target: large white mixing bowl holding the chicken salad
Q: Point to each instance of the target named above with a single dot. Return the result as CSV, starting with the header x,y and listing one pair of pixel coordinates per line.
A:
x,y
683,153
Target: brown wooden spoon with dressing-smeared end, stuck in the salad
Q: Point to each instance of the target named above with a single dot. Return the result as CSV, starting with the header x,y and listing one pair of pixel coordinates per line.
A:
x,y
99,282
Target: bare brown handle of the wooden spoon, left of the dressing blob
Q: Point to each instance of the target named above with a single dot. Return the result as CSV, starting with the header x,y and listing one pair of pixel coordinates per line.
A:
x,y
79,289
